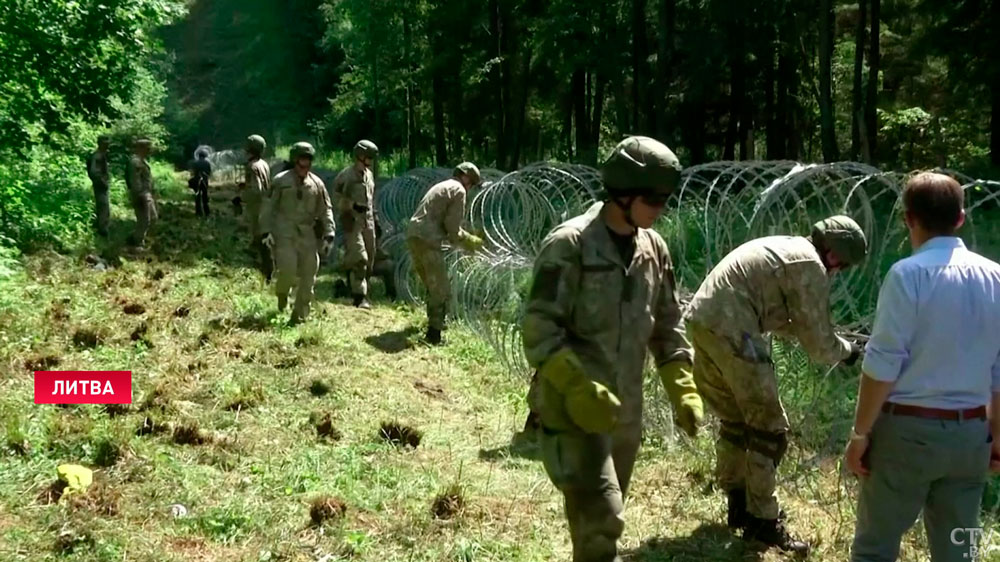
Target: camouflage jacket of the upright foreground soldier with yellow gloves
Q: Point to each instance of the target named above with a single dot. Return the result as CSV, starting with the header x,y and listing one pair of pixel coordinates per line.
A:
x,y
584,297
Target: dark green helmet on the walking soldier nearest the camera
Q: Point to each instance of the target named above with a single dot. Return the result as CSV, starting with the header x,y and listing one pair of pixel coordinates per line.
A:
x,y
641,166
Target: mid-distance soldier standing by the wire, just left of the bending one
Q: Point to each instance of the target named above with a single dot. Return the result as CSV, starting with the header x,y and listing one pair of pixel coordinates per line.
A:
x,y
354,190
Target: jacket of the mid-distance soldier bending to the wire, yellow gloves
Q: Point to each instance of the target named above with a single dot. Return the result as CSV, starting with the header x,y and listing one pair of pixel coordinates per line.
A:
x,y
440,214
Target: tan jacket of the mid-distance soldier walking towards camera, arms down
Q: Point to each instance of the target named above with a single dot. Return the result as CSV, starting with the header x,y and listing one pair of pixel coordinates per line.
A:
x,y
296,207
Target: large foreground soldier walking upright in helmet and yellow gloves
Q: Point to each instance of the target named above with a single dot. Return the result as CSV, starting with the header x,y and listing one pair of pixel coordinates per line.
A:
x,y
603,292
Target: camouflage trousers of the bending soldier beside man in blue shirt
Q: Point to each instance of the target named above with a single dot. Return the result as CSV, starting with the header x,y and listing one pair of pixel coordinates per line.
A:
x,y
741,389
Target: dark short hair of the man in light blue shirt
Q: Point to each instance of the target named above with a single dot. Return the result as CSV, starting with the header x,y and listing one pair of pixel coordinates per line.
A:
x,y
935,201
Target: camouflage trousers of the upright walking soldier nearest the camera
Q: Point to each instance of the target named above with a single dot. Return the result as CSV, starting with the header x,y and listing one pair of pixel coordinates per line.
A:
x,y
592,471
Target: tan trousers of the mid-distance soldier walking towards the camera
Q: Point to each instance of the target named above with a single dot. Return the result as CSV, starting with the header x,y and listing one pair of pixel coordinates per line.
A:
x,y
297,261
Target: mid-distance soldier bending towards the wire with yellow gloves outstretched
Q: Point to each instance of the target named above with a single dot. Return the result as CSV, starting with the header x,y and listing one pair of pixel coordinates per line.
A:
x,y
438,218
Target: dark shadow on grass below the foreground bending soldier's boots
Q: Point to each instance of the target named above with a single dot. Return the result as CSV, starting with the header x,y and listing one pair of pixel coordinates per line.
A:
x,y
710,541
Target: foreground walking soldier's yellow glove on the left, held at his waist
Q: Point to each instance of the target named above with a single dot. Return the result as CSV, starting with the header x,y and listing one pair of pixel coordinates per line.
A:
x,y
589,404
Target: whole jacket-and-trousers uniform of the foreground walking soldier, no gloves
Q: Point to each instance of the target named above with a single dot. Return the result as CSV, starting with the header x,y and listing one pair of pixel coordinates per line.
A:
x,y
585,298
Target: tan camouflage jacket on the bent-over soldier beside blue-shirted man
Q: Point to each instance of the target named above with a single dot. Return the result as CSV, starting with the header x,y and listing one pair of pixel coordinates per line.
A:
x,y
774,284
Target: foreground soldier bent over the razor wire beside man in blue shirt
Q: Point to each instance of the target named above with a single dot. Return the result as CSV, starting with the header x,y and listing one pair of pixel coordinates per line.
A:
x,y
778,284
